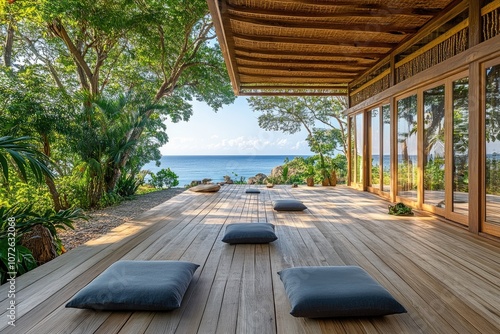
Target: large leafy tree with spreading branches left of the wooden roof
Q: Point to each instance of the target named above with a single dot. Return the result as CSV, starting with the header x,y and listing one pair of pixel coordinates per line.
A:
x,y
161,53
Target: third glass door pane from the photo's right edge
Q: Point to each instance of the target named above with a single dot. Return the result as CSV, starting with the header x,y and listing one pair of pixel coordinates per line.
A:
x,y
434,146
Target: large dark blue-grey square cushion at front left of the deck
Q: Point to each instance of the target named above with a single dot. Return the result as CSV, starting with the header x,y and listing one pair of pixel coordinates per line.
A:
x,y
137,285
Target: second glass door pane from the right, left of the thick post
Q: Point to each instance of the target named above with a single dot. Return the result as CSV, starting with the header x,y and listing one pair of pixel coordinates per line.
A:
x,y
460,141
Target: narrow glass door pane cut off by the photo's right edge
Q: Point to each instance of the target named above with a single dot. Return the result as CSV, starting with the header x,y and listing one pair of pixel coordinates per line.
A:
x,y
492,158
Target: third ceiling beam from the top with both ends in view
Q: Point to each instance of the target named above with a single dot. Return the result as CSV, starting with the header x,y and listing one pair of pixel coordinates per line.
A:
x,y
361,55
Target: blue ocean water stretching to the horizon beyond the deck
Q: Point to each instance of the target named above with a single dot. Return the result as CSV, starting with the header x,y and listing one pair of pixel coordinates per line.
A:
x,y
198,167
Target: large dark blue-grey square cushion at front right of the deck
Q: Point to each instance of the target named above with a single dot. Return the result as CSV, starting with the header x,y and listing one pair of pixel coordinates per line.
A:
x,y
344,291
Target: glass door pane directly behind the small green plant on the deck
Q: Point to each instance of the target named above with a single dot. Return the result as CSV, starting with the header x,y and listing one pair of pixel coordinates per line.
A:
x,y
407,147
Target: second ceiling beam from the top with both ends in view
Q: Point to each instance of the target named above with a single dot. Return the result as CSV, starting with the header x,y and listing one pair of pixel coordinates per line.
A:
x,y
313,41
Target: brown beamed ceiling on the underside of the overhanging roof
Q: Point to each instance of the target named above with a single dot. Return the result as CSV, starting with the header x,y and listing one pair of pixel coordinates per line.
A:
x,y
312,47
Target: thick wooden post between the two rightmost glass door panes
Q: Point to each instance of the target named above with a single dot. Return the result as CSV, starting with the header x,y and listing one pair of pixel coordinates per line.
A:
x,y
476,149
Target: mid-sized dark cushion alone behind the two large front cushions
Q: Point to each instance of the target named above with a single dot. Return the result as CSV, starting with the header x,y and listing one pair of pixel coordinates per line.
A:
x,y
249,233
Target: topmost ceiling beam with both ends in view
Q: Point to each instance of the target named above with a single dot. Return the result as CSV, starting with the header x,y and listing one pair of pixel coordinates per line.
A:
x,y
276,23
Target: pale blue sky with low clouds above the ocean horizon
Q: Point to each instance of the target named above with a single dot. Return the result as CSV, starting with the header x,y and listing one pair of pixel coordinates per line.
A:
x,y
233,130
